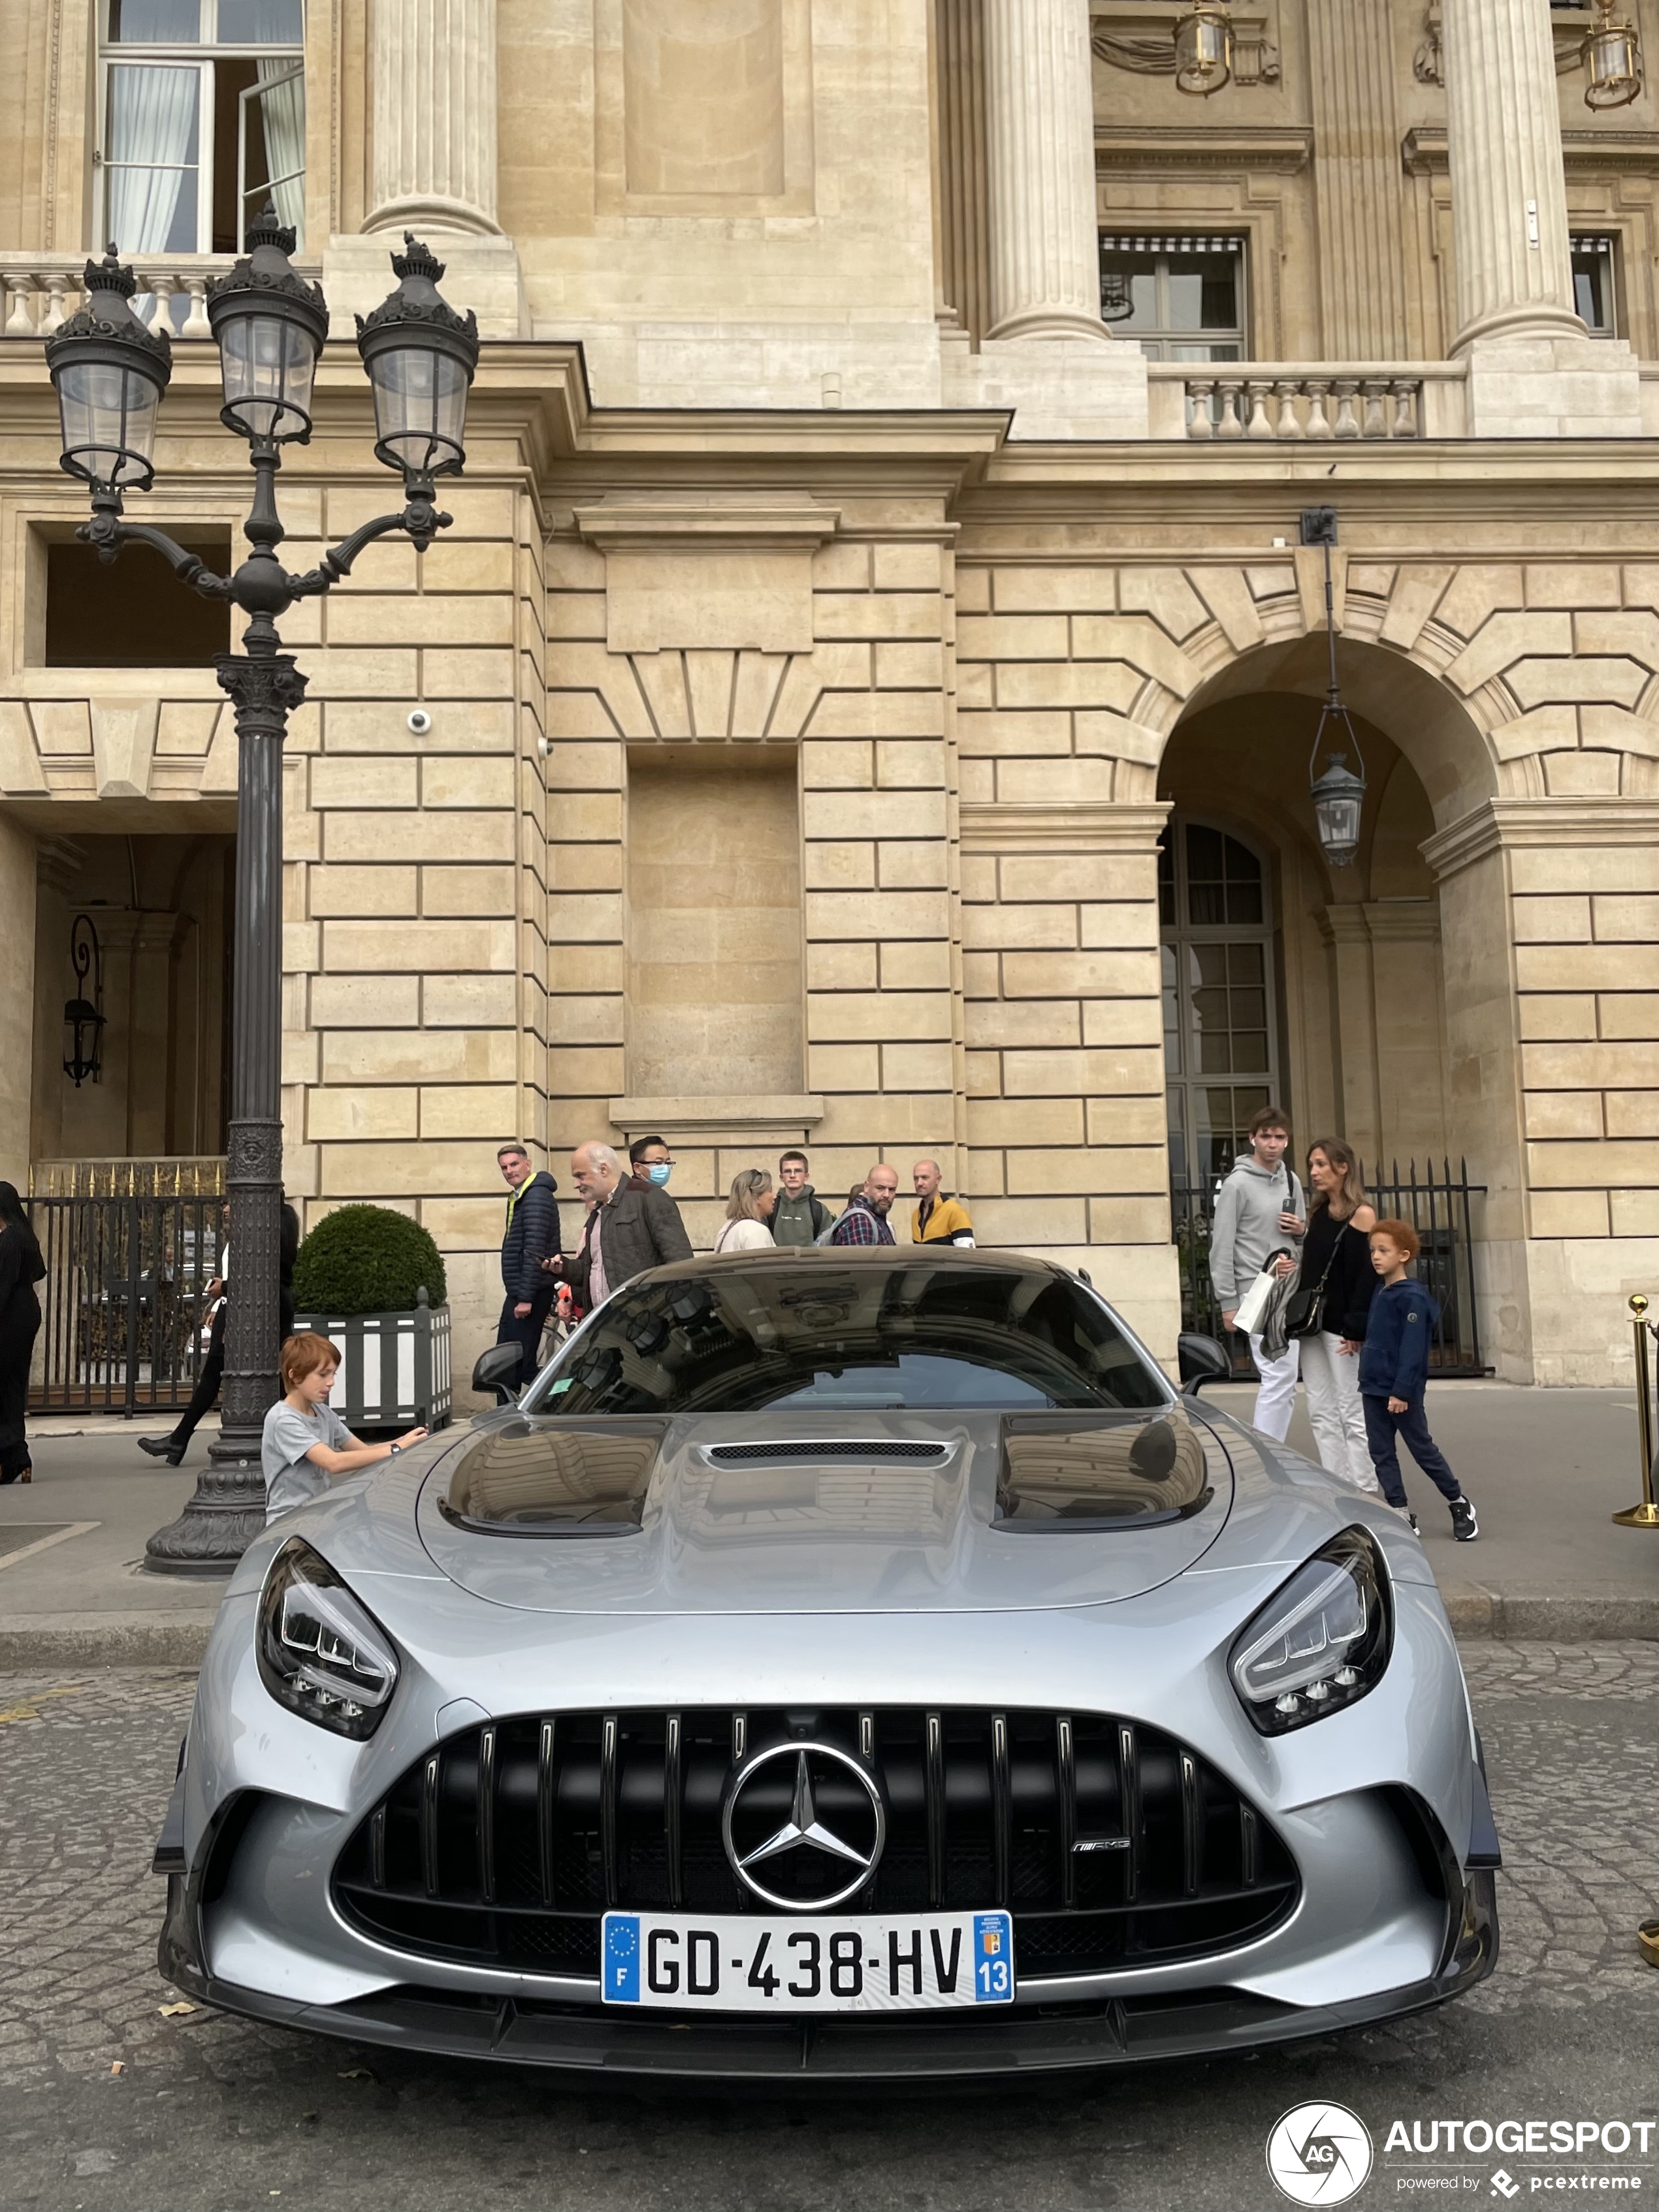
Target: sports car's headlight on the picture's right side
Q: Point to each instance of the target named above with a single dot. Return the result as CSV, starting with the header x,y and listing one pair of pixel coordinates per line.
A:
x,y
1322,1642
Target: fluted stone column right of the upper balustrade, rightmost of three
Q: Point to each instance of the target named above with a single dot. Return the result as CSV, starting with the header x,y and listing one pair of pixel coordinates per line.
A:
x,y
1507,180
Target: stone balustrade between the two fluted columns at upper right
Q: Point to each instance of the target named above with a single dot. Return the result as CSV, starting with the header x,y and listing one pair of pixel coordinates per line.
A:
x,y
1297,401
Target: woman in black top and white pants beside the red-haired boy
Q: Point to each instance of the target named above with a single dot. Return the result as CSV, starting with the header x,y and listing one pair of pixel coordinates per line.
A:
x,y
1337,1253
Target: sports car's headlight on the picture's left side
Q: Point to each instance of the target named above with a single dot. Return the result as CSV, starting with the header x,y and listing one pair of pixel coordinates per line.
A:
x,y
322,1653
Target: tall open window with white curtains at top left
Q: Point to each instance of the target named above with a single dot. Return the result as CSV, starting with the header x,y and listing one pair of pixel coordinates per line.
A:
x,y
202,121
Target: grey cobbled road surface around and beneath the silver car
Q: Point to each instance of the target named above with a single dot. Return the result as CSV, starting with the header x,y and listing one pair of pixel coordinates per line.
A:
x,y
109,2105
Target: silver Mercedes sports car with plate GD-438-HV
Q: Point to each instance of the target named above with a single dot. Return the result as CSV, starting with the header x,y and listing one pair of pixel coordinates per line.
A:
x,y
835,1667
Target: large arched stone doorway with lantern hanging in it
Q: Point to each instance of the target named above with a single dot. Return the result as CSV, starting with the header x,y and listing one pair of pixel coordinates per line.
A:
x,y
1344,994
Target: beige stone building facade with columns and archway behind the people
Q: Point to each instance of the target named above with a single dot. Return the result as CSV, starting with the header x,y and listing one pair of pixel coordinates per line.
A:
x,y
870,693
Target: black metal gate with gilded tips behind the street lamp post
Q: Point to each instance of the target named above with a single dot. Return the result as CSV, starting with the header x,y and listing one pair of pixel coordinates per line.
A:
x,y
125,1302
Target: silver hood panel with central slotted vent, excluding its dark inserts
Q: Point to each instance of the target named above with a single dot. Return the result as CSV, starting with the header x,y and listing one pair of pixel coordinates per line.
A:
x,y
822,1514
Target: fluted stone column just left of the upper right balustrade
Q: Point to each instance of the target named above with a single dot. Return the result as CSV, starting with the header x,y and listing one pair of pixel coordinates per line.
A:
x,y
1041,136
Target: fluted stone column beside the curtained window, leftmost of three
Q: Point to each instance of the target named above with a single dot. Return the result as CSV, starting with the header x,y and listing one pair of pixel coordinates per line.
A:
x,y
435,116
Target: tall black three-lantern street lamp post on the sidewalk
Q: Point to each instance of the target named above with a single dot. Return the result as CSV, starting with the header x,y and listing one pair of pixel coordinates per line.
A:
x,y
109,373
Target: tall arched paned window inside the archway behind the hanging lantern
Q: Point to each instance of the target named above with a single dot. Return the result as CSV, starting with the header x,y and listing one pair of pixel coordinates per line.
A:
x,y
1220,1021
